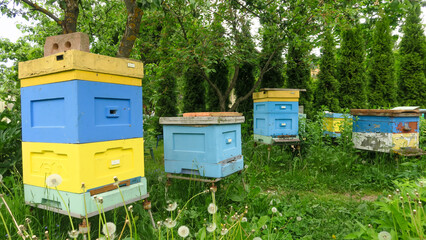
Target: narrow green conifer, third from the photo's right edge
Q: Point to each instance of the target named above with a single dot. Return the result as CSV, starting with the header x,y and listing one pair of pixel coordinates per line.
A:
x,y
351,71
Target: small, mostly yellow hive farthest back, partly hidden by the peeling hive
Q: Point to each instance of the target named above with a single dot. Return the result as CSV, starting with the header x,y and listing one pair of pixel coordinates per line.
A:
x,y
334,123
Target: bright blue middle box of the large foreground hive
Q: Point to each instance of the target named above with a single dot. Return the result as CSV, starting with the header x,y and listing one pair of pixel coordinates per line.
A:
x,y
81,112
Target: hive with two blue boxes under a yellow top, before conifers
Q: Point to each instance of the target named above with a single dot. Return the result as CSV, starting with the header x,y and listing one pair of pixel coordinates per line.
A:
x,y
276,114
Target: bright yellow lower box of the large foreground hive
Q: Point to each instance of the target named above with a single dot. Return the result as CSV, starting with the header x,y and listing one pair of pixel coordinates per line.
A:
x,y
95,164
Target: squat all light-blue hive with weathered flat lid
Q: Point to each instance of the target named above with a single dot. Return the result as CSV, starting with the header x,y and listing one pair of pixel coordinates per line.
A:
x,y
205,144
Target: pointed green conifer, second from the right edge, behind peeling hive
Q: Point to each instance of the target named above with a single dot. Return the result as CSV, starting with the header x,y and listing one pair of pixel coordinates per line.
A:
x,y
382,85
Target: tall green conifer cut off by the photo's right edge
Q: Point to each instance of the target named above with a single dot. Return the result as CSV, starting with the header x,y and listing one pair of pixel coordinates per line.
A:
x,y
412,82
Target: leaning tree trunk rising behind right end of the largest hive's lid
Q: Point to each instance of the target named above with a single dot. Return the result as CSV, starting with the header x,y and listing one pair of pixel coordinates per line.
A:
x,y
134,16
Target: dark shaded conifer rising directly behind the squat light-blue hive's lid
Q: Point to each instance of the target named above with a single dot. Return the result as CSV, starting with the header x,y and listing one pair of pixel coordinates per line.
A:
x,y
194,90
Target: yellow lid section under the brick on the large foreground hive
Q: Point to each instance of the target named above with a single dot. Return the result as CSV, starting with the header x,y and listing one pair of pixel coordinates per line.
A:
x,y
79,60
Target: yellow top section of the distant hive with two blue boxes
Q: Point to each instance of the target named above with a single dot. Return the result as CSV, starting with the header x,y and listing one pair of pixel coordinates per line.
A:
x,y
291,95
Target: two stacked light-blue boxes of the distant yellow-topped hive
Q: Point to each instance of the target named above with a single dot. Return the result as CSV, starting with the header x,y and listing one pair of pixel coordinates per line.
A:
x,y
276,118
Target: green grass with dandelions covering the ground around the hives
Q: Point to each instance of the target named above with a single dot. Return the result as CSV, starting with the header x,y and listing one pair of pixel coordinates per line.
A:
x,y
320,191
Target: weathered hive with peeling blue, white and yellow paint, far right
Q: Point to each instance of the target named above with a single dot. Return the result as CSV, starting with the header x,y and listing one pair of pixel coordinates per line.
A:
x,y
393,130
